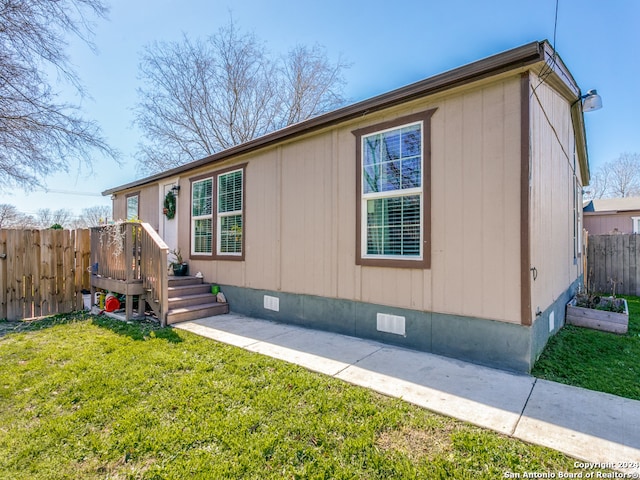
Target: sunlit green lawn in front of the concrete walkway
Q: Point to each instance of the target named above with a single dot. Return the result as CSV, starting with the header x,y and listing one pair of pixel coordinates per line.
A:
x,y
98,398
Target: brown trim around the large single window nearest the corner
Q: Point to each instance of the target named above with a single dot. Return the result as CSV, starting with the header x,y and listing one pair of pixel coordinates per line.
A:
x,y
425,262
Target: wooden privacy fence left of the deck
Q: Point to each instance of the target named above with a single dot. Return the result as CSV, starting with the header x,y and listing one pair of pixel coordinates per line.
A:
x,y
43,272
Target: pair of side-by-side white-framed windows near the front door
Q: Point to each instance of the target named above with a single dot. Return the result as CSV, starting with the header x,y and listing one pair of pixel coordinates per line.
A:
x,y
217,212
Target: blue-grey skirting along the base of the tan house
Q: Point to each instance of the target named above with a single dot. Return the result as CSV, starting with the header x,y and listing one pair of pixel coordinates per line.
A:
x,y
488,342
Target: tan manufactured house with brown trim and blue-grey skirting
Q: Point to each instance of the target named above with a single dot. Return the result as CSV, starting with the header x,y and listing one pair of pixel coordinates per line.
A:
x,y
443,216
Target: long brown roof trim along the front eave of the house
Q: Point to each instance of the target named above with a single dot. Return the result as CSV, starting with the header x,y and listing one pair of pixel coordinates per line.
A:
x,y
510,60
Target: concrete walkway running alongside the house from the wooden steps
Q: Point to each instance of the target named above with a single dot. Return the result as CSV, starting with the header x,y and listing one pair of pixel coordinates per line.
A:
x,y
590,426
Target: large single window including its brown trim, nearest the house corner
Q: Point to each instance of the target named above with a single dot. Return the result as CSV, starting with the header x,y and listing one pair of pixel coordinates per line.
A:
x,y
393,190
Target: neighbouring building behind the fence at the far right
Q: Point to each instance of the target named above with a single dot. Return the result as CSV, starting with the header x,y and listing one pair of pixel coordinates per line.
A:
x,y
612,215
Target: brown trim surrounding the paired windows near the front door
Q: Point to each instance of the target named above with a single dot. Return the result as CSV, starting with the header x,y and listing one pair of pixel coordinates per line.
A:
x,y
214,191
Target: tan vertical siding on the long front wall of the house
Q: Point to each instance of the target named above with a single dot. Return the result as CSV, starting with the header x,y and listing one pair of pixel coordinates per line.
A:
x,y
300,213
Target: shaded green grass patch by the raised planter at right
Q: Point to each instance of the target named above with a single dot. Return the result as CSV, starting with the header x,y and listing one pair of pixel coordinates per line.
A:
x,y
596,360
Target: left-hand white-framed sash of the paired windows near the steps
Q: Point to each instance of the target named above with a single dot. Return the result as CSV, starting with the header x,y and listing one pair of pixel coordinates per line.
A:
x,y
202,217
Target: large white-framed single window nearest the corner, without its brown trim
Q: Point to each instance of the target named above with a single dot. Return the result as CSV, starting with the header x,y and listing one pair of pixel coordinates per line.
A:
x,y
392,193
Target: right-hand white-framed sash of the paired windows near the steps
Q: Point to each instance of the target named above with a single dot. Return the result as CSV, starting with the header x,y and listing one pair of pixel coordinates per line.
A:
x,y
229,213
